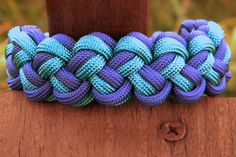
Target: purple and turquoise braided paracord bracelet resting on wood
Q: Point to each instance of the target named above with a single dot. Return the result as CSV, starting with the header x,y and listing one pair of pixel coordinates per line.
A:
x,y
184,65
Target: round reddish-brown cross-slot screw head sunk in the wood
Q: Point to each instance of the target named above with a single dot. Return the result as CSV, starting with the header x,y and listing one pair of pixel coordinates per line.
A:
x,y
173,131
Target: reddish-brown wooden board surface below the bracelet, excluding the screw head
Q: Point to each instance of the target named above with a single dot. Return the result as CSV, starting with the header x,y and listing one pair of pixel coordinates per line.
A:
x,y
31,129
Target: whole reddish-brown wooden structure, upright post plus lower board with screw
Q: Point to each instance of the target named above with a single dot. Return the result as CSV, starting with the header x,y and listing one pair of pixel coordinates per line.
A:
x,y
32,129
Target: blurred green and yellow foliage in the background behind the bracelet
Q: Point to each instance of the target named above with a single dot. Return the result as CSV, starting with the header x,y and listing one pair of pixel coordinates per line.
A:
x,y
166,15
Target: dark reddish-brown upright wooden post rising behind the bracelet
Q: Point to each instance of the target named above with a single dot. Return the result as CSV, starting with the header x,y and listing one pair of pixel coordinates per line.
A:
x,y
113,17
